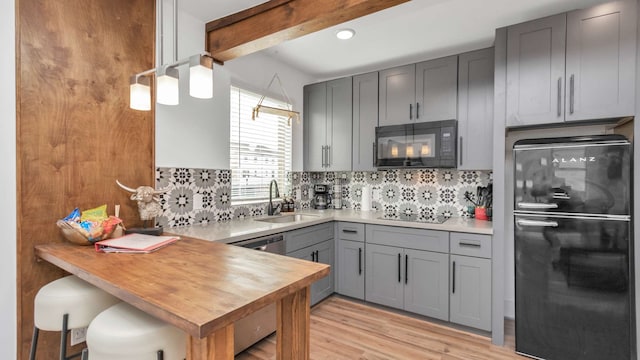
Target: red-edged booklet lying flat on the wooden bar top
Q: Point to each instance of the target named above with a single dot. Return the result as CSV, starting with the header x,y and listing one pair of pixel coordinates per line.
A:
x,y
135,244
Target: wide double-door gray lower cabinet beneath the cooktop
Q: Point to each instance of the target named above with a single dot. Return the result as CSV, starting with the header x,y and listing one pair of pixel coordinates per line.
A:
x,y
401,272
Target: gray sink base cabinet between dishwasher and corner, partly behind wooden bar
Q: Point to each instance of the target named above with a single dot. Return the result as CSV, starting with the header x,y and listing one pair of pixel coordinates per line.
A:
x,y
314,243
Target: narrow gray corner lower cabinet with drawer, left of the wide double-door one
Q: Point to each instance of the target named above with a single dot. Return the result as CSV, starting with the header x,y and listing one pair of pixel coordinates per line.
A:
x,y
350,265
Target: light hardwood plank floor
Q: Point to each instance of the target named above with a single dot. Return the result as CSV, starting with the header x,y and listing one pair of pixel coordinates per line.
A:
x,y
346,329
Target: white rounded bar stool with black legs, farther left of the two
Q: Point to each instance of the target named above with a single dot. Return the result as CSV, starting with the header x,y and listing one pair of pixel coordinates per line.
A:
x,y
64,304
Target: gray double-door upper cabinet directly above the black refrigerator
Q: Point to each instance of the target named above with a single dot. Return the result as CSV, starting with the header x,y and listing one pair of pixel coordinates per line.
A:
x,y
574,66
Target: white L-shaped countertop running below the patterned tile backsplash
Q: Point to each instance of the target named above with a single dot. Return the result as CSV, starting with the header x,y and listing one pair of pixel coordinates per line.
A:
x,y
237,230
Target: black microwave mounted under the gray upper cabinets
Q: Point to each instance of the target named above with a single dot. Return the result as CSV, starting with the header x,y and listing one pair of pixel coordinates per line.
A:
x,y
428,145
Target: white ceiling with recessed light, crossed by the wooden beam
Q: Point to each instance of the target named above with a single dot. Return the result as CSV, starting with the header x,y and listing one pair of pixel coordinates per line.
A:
x,y
410,32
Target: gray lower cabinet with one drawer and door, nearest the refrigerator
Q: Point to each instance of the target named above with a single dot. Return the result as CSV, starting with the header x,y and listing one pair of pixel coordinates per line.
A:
x,y
470,297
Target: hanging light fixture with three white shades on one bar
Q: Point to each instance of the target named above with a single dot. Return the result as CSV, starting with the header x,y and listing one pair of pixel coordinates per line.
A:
x,y
168,75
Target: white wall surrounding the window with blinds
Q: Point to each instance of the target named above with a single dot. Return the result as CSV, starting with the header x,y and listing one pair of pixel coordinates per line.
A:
x,y
195,134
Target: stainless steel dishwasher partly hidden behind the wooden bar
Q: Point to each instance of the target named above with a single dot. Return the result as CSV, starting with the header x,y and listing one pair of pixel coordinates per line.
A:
x,y
256,326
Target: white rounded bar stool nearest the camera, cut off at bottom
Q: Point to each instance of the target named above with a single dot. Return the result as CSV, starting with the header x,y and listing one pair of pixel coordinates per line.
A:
x,y
125,333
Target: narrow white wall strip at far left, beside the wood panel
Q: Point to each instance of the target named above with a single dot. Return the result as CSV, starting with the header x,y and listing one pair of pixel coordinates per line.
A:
x,y
8,309
